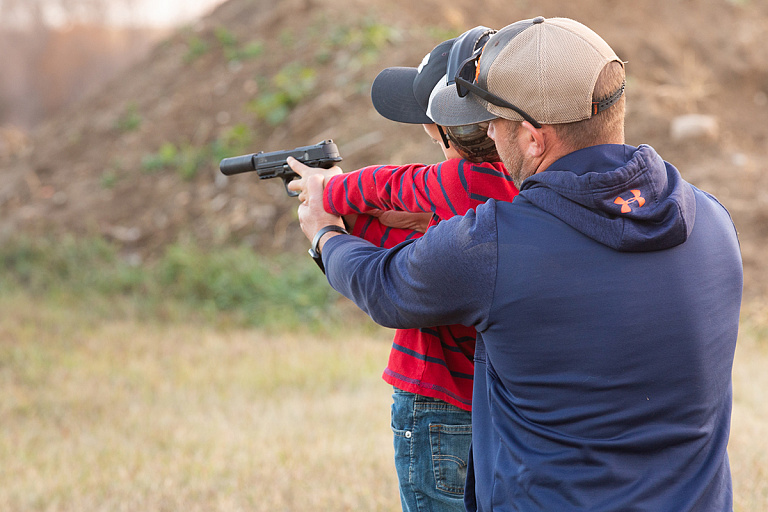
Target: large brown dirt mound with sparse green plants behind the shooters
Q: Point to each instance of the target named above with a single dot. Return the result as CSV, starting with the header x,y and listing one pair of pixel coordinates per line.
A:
x,y
137,162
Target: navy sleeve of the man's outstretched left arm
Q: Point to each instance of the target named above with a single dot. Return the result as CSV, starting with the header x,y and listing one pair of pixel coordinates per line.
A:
x,y
445,277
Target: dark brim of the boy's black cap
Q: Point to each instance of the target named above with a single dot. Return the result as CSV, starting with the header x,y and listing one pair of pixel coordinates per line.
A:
x,y
392,96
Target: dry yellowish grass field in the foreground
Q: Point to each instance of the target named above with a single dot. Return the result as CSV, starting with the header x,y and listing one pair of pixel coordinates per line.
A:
x,y
124,415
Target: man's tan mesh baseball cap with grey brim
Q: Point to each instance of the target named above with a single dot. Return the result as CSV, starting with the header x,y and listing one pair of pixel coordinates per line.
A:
x,y
542,70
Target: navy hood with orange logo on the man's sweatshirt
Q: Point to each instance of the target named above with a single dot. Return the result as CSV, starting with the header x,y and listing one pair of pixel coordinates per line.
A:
x,y
624,197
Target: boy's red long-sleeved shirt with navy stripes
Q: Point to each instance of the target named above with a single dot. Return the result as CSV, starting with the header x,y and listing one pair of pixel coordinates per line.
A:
x,y
433,361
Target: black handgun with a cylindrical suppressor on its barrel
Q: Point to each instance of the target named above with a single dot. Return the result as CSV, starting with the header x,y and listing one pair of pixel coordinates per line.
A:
x,y
324,154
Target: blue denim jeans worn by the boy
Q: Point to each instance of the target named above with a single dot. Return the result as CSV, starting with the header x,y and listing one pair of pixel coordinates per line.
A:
x,y
432,439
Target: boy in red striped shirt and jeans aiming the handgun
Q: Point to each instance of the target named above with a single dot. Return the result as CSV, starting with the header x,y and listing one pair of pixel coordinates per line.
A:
x,y
430,369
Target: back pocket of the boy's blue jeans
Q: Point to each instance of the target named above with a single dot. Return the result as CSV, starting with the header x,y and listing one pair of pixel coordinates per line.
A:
x,y
450,451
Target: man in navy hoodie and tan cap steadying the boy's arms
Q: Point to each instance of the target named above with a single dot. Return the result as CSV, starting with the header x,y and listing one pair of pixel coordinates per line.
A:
x,y
606,296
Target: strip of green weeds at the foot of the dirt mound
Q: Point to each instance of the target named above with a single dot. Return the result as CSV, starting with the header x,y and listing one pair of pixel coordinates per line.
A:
x,y
232,286
